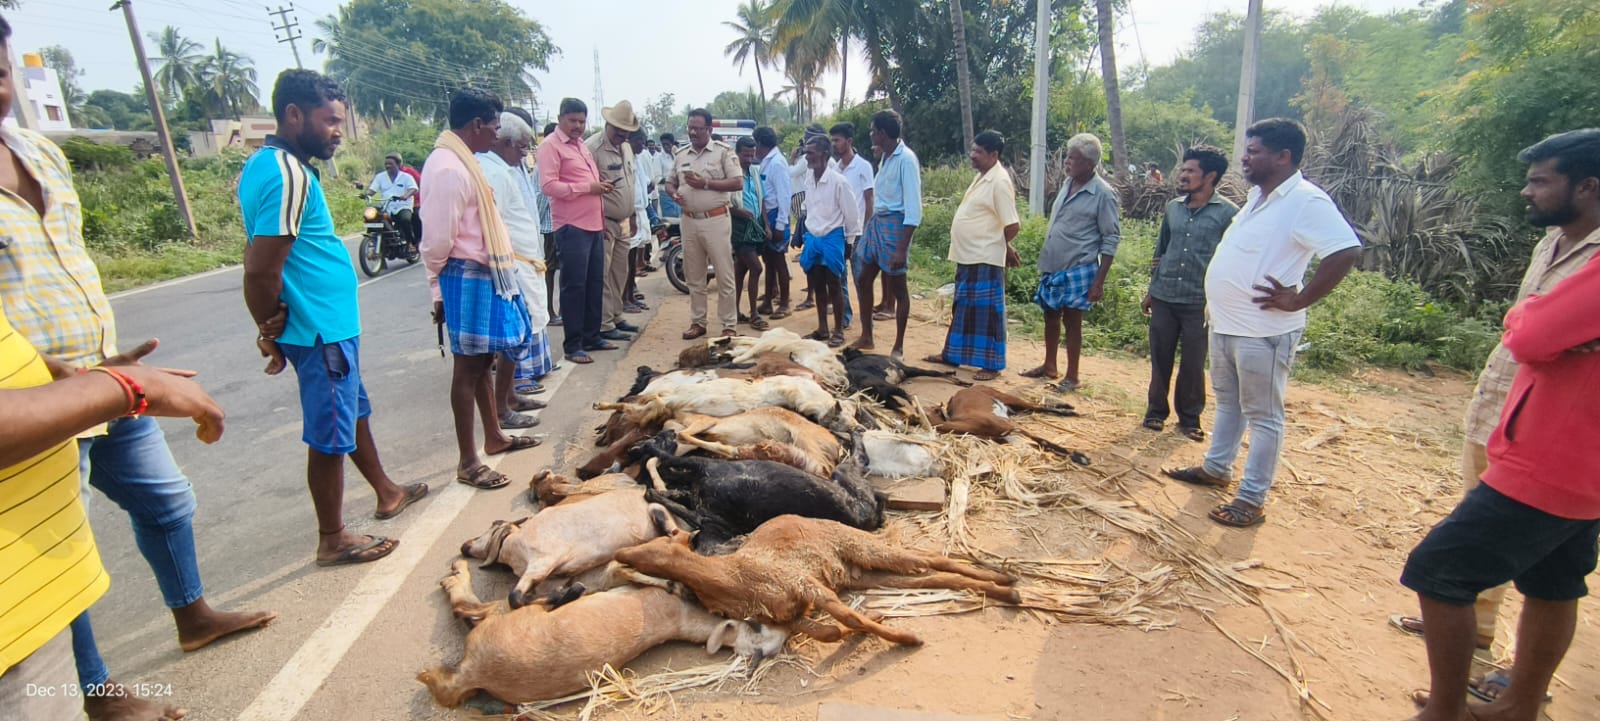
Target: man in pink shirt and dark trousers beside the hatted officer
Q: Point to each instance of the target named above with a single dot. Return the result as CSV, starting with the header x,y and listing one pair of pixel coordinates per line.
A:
x,y
572,180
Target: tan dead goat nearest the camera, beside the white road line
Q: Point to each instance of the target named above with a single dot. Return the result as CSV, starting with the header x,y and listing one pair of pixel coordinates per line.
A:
x,y
550,650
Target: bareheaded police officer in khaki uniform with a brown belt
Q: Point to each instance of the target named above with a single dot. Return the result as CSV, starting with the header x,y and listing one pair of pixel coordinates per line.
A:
x,y
703,177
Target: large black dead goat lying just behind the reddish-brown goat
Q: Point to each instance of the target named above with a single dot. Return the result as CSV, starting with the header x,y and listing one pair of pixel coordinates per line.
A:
x,y
726,500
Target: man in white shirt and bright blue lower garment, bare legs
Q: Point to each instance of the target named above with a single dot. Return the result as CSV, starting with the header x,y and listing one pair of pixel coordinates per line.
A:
x,y
831,218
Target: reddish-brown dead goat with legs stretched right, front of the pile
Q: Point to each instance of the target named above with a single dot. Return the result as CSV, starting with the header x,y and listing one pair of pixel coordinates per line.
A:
x,y
793,567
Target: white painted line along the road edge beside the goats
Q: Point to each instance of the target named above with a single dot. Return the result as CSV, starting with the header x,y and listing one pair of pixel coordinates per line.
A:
x,y
300,679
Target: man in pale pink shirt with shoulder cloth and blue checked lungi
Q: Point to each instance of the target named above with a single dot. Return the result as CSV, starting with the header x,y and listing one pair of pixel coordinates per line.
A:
x,y
474,287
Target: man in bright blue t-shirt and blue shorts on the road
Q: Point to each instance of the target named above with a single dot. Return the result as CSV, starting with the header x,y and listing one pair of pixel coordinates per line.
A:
x,y
302,292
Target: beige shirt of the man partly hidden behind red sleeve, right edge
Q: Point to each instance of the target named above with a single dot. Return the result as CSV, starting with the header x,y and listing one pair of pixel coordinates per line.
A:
x,y
1543,274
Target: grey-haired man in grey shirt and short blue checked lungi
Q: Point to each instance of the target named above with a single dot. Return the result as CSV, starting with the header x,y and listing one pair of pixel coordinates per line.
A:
x,y
1078,255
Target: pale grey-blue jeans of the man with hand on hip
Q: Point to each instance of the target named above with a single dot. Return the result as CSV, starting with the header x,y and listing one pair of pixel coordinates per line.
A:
x,y
1249,376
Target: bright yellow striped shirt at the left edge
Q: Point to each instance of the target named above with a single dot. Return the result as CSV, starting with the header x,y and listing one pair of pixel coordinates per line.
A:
x,y
50,570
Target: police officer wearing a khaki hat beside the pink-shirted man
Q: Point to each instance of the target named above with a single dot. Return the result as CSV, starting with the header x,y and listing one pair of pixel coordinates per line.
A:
x,y
615,161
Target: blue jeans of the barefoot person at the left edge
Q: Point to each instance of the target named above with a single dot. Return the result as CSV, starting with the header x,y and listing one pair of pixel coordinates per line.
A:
x,y
135,469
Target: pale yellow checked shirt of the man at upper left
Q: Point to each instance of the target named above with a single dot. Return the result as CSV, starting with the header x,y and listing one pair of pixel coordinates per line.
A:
x,y
49,285
